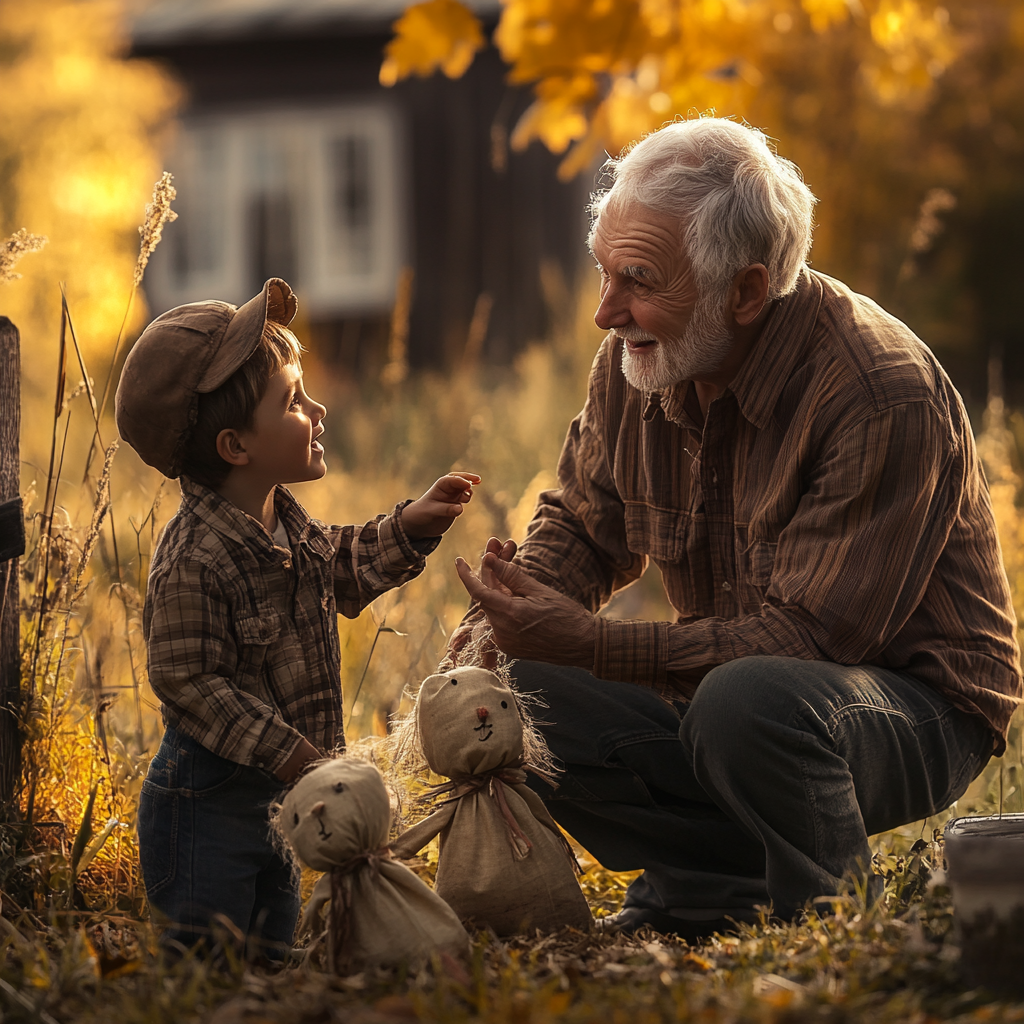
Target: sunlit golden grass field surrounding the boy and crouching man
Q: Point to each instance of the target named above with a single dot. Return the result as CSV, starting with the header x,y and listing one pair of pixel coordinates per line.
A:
x,y
74,904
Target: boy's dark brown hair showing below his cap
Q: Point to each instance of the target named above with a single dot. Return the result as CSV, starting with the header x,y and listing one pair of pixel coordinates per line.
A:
x,y
234,405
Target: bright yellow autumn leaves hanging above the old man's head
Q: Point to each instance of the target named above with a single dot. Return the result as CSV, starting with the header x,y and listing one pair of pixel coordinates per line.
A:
x,y
605,72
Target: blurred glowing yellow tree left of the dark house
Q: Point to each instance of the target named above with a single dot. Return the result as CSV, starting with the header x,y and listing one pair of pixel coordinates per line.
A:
x,y
77,163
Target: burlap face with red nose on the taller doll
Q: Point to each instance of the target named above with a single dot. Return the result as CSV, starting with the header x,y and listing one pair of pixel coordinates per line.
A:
x,y
470,722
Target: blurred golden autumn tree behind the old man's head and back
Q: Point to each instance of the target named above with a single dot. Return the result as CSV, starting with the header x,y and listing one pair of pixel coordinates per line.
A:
x,y
906,117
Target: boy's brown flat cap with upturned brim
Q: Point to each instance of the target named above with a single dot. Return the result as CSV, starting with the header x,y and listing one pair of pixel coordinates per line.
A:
x,y
186,353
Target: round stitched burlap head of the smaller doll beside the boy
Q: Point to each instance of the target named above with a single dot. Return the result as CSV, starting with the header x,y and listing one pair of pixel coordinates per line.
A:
x,y
336,813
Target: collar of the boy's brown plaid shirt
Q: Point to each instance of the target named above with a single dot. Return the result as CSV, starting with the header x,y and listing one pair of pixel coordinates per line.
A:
x,y
228,520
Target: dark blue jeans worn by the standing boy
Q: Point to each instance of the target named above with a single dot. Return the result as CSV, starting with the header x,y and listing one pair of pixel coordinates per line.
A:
x,y
205,848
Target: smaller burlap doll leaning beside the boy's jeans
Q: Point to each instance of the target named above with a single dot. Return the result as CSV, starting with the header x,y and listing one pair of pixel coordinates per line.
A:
x,y
337,820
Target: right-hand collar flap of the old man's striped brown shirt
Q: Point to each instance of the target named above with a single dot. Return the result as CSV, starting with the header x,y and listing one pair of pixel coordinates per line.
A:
x,y
772,363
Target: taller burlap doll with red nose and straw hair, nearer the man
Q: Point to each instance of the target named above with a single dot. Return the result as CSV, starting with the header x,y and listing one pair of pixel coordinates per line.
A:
x,y
503,863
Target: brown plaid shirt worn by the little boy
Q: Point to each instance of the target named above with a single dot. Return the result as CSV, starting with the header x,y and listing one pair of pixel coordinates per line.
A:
x,y
243,635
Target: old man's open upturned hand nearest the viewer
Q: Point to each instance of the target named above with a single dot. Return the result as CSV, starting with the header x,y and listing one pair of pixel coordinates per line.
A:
x,y
528,619
